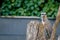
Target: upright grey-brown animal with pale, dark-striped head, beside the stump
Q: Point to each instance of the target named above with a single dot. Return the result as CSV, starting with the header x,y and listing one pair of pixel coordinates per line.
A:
x,y
47,27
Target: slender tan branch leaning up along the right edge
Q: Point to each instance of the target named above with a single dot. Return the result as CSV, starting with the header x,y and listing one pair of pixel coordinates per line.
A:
x,y
53,35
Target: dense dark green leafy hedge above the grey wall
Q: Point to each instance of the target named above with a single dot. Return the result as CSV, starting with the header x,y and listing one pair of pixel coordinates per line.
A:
x,y
29,7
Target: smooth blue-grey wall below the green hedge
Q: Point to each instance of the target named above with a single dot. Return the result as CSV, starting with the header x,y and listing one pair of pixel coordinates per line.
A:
x,y
15,29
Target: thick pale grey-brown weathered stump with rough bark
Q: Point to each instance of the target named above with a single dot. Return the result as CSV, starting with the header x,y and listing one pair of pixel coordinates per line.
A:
x,y
32,30
